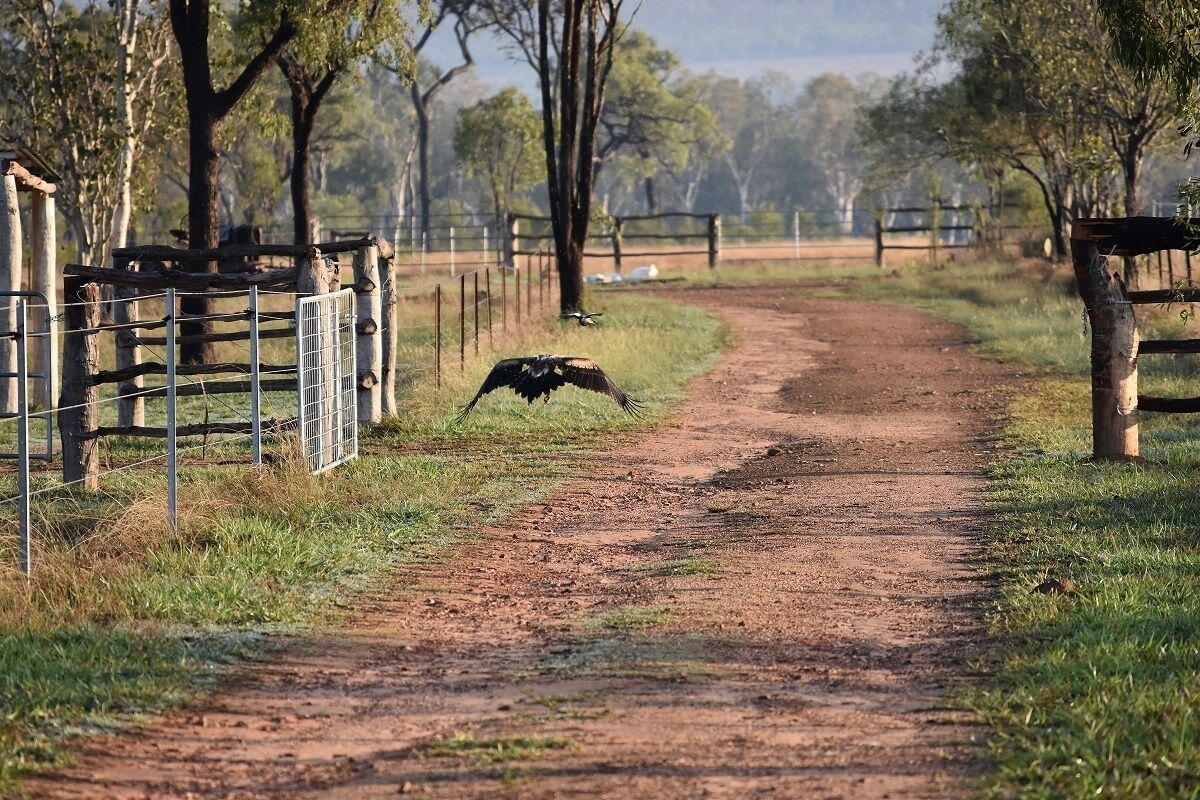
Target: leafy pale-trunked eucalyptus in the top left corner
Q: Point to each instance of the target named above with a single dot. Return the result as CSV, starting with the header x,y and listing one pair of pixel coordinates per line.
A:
x,y
91,91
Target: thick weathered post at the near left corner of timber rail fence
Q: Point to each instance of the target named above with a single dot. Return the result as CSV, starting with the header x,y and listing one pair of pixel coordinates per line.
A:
x,y
79,405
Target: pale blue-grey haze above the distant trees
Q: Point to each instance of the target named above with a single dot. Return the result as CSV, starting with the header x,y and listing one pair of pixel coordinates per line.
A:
x,y
743,38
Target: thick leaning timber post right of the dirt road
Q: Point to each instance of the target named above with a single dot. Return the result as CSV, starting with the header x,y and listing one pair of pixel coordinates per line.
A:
x,y
1114,354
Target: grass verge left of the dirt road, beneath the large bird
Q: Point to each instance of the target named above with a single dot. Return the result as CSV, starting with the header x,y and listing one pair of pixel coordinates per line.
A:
x,y
123,619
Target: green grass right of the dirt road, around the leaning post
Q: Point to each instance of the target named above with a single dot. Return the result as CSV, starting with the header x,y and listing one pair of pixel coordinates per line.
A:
x,y
1095,694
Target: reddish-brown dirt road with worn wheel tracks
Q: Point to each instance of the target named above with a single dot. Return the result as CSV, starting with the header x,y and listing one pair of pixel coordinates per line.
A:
x,y
766,598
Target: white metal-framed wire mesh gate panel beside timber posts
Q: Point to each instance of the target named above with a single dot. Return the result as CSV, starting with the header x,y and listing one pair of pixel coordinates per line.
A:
x,y
327,404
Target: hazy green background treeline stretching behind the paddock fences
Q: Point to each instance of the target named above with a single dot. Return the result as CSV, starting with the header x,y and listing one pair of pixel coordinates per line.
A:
x,y
332,110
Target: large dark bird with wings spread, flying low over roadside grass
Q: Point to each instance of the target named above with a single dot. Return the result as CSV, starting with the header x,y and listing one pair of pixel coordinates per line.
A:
x,y
537,376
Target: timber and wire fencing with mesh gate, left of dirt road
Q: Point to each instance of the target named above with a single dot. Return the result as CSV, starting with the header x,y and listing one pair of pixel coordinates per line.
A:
x,y
122,356
